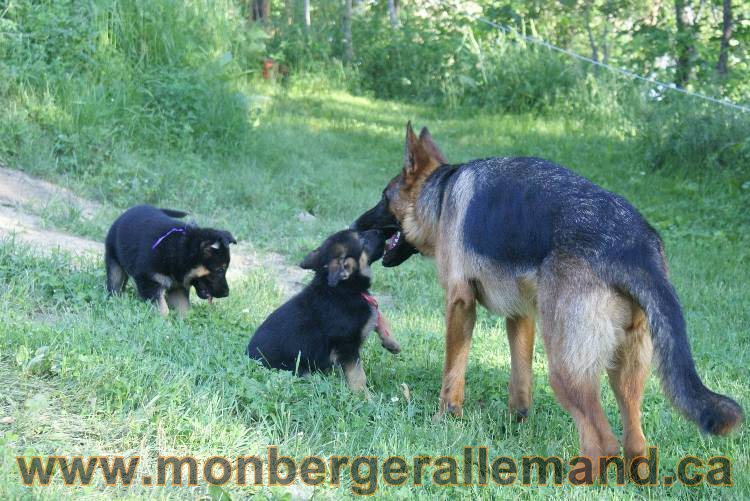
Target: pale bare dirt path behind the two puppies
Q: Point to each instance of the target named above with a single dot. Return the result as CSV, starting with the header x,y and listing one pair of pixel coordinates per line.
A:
x,y
22,195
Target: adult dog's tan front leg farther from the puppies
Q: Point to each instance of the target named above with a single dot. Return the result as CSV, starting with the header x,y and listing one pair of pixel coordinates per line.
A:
x,y
521,340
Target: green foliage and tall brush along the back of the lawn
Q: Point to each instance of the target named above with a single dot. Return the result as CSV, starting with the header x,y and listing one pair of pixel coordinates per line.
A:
x,y
93,75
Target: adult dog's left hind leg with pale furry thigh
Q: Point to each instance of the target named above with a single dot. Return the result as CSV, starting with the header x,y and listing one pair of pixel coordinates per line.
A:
x,y
579,318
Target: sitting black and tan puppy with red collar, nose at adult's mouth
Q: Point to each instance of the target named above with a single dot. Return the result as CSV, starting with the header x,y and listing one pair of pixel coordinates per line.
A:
x,y
327,322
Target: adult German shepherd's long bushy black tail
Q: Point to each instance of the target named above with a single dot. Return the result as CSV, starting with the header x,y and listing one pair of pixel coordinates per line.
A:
x,y
648,285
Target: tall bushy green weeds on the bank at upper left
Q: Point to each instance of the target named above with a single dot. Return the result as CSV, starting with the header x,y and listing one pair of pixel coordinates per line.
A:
x,y
83,75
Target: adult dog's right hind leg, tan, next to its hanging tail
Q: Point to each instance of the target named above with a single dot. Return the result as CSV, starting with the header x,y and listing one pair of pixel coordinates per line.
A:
x,y
628,378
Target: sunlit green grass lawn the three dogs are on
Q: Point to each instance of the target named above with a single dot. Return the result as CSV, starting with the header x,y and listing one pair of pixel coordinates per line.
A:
x,y
82,374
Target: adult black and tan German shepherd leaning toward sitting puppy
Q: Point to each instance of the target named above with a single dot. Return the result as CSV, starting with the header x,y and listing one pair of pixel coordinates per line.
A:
x,y
525,237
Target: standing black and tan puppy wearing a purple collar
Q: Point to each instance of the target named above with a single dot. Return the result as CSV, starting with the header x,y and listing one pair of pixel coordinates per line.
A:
x,y
166,257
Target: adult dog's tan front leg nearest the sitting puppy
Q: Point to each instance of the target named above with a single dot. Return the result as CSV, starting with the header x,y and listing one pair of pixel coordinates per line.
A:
x,y
460,315
